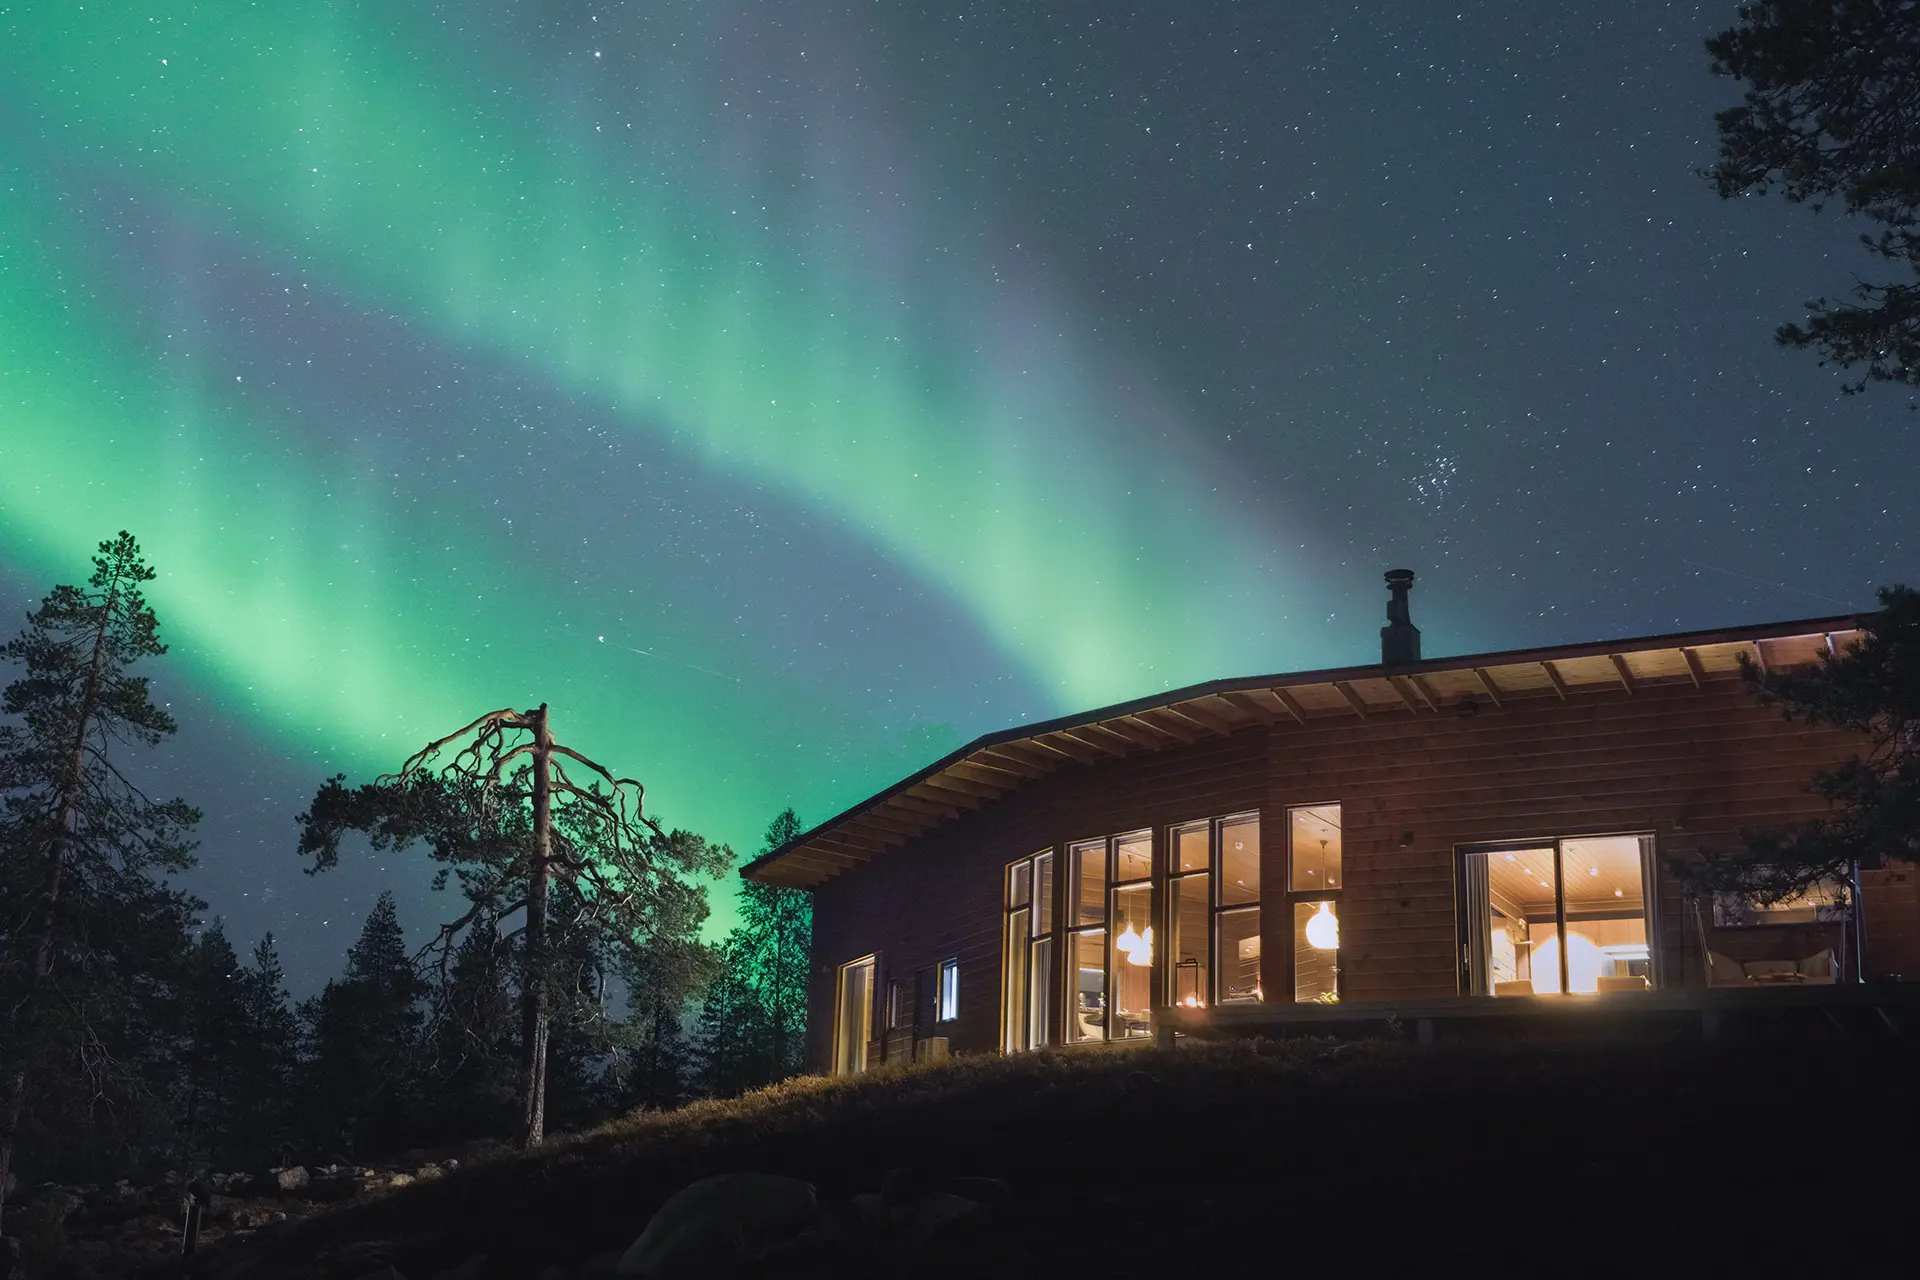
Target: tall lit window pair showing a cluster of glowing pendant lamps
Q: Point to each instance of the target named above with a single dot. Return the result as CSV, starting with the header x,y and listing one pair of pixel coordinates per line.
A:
x,y
1111,937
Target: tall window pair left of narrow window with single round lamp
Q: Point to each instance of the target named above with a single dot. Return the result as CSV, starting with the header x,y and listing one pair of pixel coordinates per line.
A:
x,y
1214,913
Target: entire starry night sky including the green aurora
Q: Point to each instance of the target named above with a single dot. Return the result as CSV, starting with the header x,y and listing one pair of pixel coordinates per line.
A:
x,y
788,394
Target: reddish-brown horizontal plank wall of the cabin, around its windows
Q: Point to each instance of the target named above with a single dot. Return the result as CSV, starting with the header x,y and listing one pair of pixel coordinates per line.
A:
x,y
1691,767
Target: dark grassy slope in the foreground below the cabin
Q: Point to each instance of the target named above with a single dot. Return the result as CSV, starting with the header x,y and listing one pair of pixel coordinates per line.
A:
x,y
1788,1150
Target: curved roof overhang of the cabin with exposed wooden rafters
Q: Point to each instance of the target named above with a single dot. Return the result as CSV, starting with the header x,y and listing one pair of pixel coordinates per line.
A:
x,y
1003,763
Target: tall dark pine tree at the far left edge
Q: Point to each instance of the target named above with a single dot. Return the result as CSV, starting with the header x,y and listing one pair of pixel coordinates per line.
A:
x,y
87,920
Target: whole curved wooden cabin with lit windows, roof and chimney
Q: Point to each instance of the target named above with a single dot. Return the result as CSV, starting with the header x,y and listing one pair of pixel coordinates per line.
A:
x,y
1451,834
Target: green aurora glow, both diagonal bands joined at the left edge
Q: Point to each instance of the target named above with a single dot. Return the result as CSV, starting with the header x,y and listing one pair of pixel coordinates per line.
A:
x,y
917,412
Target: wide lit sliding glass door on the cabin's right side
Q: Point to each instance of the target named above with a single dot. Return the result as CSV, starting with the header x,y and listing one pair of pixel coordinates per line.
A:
x,y
1568,914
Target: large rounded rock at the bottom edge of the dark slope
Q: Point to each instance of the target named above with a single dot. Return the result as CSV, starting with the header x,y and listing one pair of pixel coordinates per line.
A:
x,y
711,1229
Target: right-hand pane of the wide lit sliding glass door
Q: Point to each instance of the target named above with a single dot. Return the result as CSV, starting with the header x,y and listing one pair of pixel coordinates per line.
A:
x,y
1606,916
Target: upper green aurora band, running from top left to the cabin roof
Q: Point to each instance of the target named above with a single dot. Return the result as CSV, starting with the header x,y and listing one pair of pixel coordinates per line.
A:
x,y
1009,485
